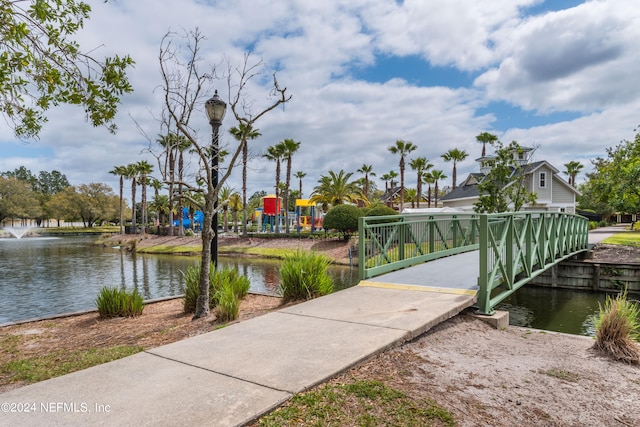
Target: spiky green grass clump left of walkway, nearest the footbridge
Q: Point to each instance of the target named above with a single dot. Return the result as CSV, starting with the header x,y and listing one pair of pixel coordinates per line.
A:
x,y
304,275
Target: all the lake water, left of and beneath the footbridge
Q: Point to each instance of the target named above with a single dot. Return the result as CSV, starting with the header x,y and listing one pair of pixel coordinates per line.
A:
x,y
46,276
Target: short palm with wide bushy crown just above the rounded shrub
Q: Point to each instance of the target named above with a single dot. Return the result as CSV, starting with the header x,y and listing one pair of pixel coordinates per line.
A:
x,y
335,189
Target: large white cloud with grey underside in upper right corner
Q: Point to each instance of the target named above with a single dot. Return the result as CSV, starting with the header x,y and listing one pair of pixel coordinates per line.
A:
x,y
582,59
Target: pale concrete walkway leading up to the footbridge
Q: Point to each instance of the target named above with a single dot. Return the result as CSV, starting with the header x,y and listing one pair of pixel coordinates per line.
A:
x,y
233,375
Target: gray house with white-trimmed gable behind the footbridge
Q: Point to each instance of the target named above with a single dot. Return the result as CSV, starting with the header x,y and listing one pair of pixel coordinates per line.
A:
x,y
553,193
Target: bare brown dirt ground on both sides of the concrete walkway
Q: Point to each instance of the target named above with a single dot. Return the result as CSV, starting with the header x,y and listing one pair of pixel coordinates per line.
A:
x,y
484,376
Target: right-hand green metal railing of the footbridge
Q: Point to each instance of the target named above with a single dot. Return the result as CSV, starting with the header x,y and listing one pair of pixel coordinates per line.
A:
x,y
516,247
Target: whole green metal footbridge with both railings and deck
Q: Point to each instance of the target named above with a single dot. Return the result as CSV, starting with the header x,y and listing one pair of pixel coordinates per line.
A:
x,y
487,255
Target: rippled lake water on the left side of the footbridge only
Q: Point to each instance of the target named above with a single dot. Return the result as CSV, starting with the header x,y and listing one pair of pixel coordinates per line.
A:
x,y
45,276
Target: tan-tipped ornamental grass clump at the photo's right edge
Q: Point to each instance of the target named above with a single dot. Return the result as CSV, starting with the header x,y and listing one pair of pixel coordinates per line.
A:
x,y
618,329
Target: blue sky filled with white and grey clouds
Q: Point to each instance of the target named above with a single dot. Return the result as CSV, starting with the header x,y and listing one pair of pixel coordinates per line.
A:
x,y
559,75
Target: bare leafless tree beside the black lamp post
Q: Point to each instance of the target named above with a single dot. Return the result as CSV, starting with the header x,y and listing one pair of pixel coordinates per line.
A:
x,y
185,88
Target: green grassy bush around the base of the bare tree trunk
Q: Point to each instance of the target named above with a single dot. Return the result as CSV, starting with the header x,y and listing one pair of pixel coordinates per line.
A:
x,y
226,288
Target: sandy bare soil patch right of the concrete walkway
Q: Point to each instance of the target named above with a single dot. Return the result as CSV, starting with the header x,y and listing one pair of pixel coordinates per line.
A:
x,y
511,377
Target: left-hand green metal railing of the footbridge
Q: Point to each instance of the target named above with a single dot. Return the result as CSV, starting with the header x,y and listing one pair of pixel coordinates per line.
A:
x,y
388,243
